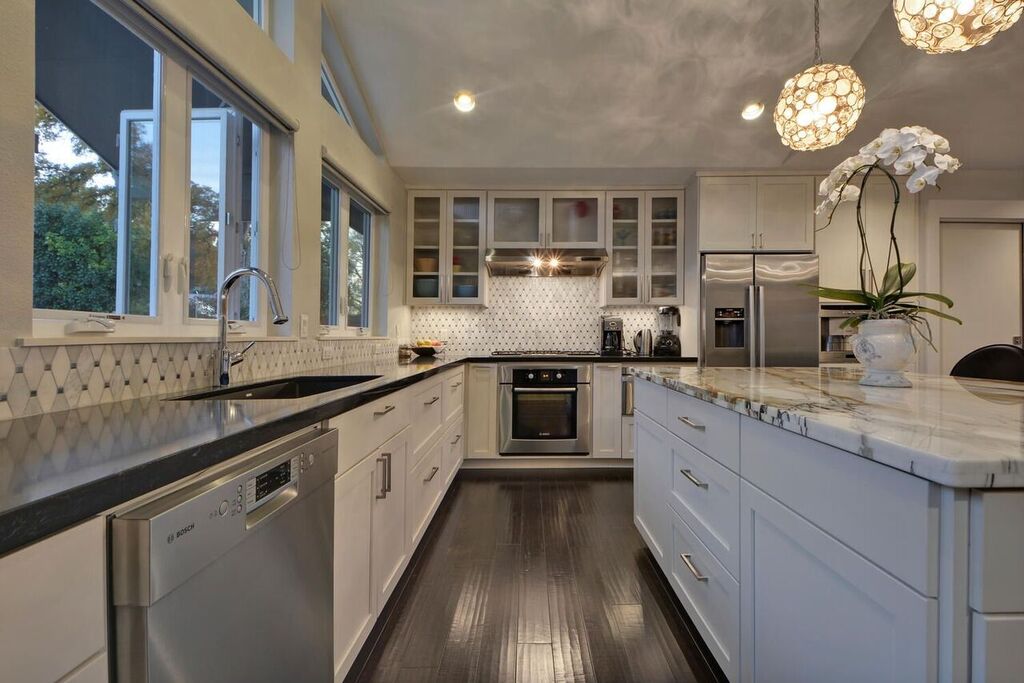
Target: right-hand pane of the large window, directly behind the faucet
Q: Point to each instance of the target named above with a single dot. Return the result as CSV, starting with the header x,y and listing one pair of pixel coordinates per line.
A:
x,y
224,204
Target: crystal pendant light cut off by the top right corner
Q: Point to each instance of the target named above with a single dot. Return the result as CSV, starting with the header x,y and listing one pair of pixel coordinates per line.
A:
x,y
954,26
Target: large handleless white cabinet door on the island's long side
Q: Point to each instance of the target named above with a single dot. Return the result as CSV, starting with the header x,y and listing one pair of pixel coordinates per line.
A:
x,y
814,611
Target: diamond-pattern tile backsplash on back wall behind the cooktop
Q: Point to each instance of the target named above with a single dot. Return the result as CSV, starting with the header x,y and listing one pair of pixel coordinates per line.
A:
x,y
530,314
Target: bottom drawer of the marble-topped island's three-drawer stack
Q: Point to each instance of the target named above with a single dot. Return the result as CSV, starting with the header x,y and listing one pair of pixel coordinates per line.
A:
x,y
710,595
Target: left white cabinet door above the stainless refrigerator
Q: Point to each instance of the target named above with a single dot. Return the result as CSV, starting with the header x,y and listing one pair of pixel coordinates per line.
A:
x,y
729,214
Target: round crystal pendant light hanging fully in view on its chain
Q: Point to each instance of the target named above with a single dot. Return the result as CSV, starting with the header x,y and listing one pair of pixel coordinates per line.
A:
x,y
821,106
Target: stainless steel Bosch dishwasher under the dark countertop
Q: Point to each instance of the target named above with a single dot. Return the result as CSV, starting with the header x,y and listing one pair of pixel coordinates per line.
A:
x,y
230,578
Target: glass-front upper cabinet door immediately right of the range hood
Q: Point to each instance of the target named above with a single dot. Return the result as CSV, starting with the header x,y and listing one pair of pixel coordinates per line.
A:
x,y
626,224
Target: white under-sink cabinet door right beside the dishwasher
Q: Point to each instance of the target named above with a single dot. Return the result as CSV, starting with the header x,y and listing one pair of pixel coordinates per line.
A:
x,y
355,606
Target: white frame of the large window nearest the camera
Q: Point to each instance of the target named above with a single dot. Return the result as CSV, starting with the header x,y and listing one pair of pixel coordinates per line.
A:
x,y
172,208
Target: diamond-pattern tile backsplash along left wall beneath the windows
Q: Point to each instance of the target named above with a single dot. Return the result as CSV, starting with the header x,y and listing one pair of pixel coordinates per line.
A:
x,y
45,379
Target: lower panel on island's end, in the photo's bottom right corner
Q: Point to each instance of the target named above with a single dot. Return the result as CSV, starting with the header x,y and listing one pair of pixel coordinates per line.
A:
x,y
997,655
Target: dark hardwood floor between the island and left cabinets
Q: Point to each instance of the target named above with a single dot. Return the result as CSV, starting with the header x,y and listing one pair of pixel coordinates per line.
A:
x,y
535,576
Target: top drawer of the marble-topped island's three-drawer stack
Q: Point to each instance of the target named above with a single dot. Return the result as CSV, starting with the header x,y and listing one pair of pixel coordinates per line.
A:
x,y
710,429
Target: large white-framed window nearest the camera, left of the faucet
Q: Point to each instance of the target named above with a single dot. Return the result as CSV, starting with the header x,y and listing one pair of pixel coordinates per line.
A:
x,y
114,235
